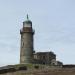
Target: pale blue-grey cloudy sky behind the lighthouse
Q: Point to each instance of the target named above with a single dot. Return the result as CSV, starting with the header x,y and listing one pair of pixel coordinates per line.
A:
x,y
54,24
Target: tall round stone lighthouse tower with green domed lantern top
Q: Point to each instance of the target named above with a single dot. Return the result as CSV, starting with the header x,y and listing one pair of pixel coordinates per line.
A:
x,y
26,50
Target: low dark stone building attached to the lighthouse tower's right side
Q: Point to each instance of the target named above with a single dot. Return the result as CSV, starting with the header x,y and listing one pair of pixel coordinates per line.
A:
x,y
44,57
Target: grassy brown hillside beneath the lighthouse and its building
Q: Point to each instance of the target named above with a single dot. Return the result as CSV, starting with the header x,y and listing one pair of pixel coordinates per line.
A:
x,y
35,70
